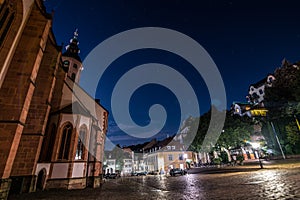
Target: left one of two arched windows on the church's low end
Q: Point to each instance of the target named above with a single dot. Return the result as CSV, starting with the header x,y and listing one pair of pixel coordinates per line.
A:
x,y
65,142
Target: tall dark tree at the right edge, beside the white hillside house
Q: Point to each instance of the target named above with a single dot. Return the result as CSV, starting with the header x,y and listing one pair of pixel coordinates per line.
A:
x,y
282,101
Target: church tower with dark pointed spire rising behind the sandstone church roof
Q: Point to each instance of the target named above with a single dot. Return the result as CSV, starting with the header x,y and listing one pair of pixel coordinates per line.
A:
x,y
71,60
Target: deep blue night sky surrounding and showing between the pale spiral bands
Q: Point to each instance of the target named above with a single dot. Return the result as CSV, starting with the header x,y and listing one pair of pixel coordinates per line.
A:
x,y
247,40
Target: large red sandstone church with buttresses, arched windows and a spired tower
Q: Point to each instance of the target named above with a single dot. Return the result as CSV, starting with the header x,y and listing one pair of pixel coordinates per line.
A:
x,y
52,133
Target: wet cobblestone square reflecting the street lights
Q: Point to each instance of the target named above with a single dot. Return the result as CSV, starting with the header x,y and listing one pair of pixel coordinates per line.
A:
x,y
278,180
